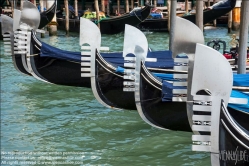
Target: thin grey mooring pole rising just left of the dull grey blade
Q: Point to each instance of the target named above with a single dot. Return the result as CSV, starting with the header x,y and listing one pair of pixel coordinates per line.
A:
x,y
173,5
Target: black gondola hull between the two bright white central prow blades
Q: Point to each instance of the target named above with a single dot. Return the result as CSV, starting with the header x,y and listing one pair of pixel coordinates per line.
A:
x,y
109,85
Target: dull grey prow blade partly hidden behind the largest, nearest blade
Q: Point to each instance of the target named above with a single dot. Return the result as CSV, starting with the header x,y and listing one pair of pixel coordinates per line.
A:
x,y
187,35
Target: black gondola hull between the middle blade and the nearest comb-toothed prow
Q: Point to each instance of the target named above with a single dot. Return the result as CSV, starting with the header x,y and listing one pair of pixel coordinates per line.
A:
x,y
169,115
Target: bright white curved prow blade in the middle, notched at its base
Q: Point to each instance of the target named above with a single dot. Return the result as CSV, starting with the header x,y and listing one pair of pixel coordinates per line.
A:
x,y
134,37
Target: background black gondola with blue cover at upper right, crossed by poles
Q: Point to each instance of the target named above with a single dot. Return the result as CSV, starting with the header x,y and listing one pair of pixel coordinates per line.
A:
x,y
209,15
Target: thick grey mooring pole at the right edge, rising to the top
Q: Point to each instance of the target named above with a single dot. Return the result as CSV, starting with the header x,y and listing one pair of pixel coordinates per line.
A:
x,y
243,37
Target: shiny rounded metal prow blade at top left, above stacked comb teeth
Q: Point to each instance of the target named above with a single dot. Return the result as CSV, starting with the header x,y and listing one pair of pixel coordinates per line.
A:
x,y
30,15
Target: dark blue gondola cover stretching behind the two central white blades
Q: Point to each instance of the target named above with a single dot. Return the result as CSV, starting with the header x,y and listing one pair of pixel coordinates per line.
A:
x,y
164,58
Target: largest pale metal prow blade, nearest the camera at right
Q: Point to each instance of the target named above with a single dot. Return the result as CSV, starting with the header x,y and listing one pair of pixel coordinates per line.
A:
x,y
213,72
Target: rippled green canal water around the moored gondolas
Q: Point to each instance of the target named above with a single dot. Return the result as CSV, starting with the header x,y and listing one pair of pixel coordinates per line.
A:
x,y
43,122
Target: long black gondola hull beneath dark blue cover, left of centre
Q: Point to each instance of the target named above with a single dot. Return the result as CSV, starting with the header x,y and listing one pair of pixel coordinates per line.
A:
x,y
57,71
